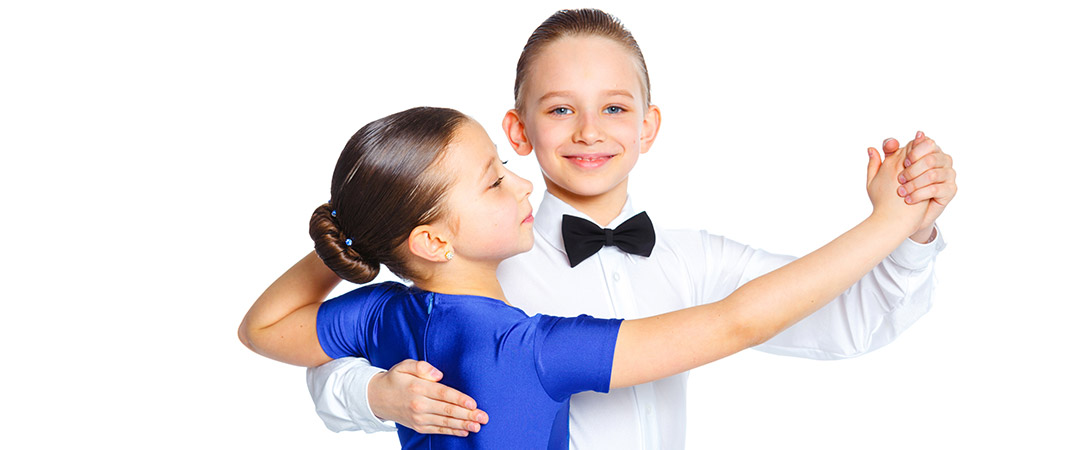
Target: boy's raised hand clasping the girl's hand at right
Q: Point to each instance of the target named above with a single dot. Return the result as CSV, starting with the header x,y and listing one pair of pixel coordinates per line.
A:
x,y
928,175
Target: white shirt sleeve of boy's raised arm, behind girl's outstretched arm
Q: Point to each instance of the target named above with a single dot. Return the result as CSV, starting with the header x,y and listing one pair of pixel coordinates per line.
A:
x,y
869,316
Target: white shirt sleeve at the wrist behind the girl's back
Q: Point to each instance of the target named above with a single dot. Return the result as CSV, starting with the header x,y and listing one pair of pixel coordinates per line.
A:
x,y
340,390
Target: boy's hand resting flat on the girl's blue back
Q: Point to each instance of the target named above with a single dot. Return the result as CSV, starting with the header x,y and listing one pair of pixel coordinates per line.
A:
x,y
410,394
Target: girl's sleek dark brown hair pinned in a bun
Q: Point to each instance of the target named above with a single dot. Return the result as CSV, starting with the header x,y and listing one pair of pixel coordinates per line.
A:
x,y
384,187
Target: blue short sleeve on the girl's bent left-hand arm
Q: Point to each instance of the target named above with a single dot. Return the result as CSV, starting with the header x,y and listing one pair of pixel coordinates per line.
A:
x,y
344,323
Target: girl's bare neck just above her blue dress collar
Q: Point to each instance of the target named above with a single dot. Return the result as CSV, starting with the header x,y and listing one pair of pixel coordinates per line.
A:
x,y
463,278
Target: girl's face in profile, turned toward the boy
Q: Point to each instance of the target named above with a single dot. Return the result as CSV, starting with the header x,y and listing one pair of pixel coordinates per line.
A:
x,y
491,217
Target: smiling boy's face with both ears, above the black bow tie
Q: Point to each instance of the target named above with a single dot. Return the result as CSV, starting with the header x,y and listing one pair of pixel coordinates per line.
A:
x,y
586,117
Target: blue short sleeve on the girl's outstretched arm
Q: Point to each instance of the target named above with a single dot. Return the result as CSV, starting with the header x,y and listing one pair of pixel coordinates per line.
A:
x,y
574,354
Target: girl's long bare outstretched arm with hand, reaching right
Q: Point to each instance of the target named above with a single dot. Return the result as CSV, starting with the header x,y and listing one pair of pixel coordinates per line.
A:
x,y
663,346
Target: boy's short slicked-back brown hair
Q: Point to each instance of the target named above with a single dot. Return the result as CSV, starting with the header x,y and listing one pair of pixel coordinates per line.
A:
x,y
573,23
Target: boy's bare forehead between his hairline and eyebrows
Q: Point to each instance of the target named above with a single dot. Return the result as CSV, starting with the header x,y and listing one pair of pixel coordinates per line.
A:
x,y
584,65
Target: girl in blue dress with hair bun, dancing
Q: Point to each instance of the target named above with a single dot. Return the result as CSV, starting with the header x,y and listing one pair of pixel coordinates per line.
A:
x,y
424,194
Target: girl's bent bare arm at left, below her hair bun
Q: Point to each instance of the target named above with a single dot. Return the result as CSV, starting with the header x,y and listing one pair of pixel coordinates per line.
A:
x,y
281,325
